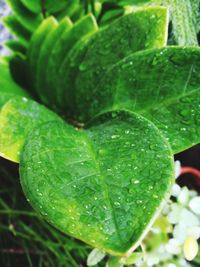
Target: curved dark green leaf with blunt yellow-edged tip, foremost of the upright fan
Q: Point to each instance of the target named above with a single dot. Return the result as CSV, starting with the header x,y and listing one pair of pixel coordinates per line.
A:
x,y
81,72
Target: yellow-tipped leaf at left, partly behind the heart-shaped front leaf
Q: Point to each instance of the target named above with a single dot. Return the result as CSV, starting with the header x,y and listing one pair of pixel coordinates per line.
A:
x,y
18,117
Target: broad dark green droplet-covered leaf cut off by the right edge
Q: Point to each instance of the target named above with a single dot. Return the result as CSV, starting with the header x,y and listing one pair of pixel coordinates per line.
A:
x,y
161,84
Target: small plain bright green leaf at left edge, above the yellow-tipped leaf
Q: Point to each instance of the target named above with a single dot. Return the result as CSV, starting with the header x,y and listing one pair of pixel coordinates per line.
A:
x,y
8,88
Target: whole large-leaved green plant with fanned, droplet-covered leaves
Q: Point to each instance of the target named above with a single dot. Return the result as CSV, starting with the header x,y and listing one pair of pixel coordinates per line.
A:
x,y
134,103
